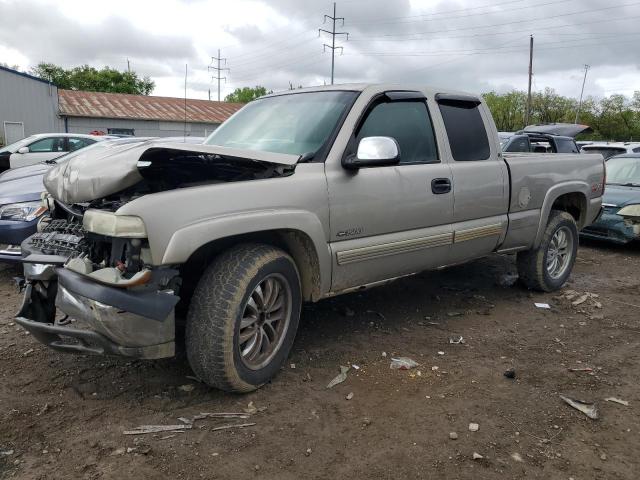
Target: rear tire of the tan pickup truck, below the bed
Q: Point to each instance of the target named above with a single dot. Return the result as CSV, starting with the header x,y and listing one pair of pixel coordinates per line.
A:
x,y
532,264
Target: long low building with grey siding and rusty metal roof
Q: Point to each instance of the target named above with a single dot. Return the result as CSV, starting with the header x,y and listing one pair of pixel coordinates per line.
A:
x,y
31,105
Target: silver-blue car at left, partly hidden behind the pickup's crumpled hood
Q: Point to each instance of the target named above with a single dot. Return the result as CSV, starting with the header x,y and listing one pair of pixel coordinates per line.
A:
x,y
21,189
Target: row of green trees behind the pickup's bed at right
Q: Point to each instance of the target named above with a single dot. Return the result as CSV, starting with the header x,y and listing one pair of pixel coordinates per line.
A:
x,y
616,117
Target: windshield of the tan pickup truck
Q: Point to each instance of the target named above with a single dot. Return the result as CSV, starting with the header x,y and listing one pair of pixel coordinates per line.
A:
x,y
296,124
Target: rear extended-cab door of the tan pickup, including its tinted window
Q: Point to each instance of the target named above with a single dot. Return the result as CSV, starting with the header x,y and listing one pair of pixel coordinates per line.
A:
x,y
480,177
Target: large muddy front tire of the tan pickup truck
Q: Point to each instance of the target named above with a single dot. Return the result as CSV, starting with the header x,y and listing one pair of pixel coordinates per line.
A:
x,y
219,306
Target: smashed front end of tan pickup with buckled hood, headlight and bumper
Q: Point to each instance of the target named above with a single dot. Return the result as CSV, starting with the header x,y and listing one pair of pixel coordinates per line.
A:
x,y
95,266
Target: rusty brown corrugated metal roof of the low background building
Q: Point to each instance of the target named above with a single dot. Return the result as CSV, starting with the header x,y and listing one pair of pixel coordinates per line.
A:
x,y
72,103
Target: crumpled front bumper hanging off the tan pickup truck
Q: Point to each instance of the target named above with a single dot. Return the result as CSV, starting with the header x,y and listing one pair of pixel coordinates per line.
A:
x,y
100,320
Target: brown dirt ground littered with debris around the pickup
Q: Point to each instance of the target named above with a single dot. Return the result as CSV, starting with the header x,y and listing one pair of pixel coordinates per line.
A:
x,y
63,416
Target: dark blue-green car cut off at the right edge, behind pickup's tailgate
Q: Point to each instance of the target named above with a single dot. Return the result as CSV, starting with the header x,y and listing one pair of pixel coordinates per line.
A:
x,y
620,219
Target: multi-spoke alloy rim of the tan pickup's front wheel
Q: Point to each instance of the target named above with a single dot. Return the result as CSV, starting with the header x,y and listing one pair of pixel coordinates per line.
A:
x,y
265,321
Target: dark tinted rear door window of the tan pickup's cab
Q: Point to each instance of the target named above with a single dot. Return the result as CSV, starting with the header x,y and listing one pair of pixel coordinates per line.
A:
x,y
465,128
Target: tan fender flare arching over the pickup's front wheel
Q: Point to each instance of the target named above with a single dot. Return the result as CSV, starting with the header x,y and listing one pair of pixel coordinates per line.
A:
x,y
188,239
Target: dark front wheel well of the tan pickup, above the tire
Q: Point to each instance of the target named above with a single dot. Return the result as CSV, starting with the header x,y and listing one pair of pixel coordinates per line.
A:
x,y
296,243
